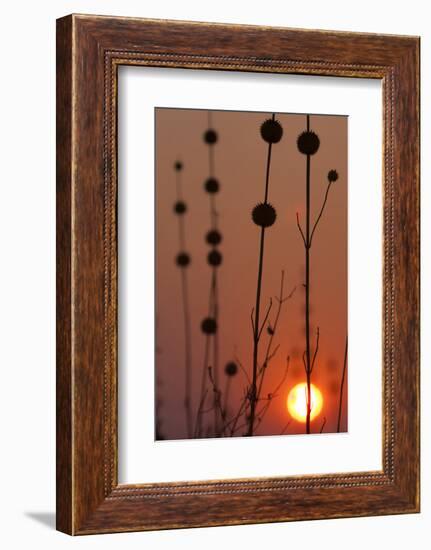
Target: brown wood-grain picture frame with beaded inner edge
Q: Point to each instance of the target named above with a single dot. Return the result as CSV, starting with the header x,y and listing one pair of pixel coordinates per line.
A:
x,y
90,49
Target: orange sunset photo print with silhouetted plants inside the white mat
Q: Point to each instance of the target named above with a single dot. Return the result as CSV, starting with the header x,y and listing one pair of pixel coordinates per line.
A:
x,y
251,273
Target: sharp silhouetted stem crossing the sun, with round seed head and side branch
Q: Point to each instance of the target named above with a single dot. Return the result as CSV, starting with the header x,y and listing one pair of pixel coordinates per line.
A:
x,y
308,144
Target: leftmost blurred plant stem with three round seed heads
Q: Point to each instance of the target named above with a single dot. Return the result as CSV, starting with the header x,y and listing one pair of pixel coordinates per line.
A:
x,y
183,261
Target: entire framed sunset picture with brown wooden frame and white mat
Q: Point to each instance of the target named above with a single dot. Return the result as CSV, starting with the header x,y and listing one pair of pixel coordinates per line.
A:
x,y
237,274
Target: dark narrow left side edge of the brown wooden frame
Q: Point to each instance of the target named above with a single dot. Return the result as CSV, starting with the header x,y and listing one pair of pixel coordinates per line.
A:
x,y
63,289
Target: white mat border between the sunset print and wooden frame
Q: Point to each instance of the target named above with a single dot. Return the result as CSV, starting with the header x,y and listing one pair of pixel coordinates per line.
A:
x,y
143,460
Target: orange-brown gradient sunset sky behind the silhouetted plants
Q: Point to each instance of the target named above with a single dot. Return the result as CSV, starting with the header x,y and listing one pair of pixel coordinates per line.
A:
x,y
240,164
